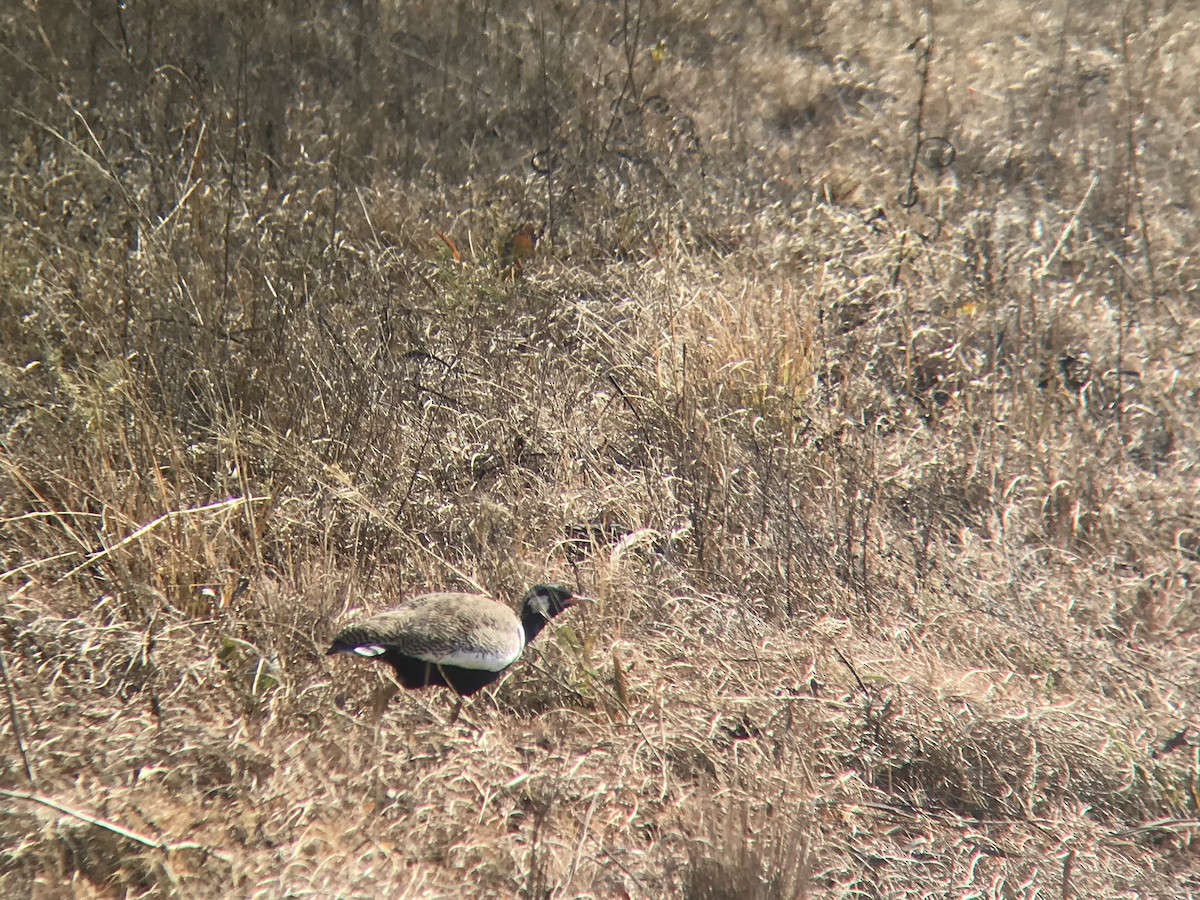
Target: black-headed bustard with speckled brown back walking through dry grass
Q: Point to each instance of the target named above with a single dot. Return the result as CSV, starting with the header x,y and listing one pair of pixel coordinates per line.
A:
x,y
458,641
